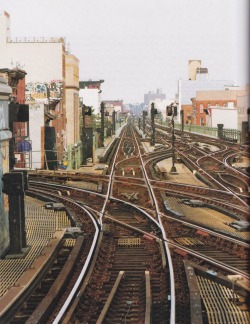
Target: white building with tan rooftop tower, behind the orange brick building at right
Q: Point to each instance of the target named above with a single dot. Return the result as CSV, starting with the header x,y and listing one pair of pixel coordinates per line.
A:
x,y
198,81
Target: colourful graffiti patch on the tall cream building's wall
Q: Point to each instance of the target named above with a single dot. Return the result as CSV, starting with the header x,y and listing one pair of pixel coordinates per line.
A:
x,y
37,91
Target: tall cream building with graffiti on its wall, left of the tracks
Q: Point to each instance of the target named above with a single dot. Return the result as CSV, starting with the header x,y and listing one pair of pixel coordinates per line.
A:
x,y
52,90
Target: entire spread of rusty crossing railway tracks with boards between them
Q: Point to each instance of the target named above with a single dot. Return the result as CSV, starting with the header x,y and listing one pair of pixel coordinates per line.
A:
x,y
150,248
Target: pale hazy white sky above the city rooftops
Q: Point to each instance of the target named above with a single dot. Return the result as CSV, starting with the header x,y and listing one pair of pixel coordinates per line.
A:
x,y
138,46
